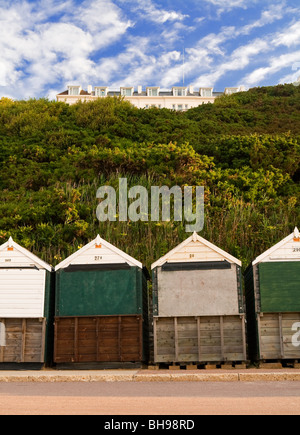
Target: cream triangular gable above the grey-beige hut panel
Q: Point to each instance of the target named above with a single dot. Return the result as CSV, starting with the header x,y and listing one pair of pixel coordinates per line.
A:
x,y
195,249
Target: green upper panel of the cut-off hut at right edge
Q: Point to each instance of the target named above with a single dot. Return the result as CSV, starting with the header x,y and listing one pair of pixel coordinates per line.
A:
x,y
280,286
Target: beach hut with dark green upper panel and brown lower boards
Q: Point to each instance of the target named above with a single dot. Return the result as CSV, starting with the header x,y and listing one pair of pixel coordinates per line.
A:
x,y
101,312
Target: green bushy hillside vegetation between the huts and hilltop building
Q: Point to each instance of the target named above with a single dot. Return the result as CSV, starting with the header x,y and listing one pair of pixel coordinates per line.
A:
x,y
244,149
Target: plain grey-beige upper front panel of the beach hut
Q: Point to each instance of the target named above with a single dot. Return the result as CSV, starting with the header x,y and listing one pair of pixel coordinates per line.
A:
x,y
198,292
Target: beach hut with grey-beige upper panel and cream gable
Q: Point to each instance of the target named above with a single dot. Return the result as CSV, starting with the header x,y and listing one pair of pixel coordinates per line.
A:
x,y
198,305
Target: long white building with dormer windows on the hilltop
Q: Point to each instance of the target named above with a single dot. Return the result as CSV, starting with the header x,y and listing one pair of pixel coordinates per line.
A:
x,y
179,98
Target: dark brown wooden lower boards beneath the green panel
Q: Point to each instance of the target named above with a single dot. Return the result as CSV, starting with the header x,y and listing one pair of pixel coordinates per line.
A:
x,y
98,339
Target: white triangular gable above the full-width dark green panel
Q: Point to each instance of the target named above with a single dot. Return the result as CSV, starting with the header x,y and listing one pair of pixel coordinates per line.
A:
x,y
98,251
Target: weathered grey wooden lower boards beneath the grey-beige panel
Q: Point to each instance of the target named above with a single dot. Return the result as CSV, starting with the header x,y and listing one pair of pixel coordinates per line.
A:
x,y
199,339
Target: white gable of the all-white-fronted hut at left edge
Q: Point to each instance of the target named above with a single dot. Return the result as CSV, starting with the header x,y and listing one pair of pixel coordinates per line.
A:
x,y
14,255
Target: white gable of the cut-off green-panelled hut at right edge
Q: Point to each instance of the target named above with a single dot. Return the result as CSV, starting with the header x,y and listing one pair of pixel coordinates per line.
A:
x,y
287,249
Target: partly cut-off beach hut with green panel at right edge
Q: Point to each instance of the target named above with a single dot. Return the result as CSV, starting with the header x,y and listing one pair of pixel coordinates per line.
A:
x,y
272,284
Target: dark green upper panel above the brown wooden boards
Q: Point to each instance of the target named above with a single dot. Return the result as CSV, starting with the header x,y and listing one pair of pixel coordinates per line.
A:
x,y
99,292
